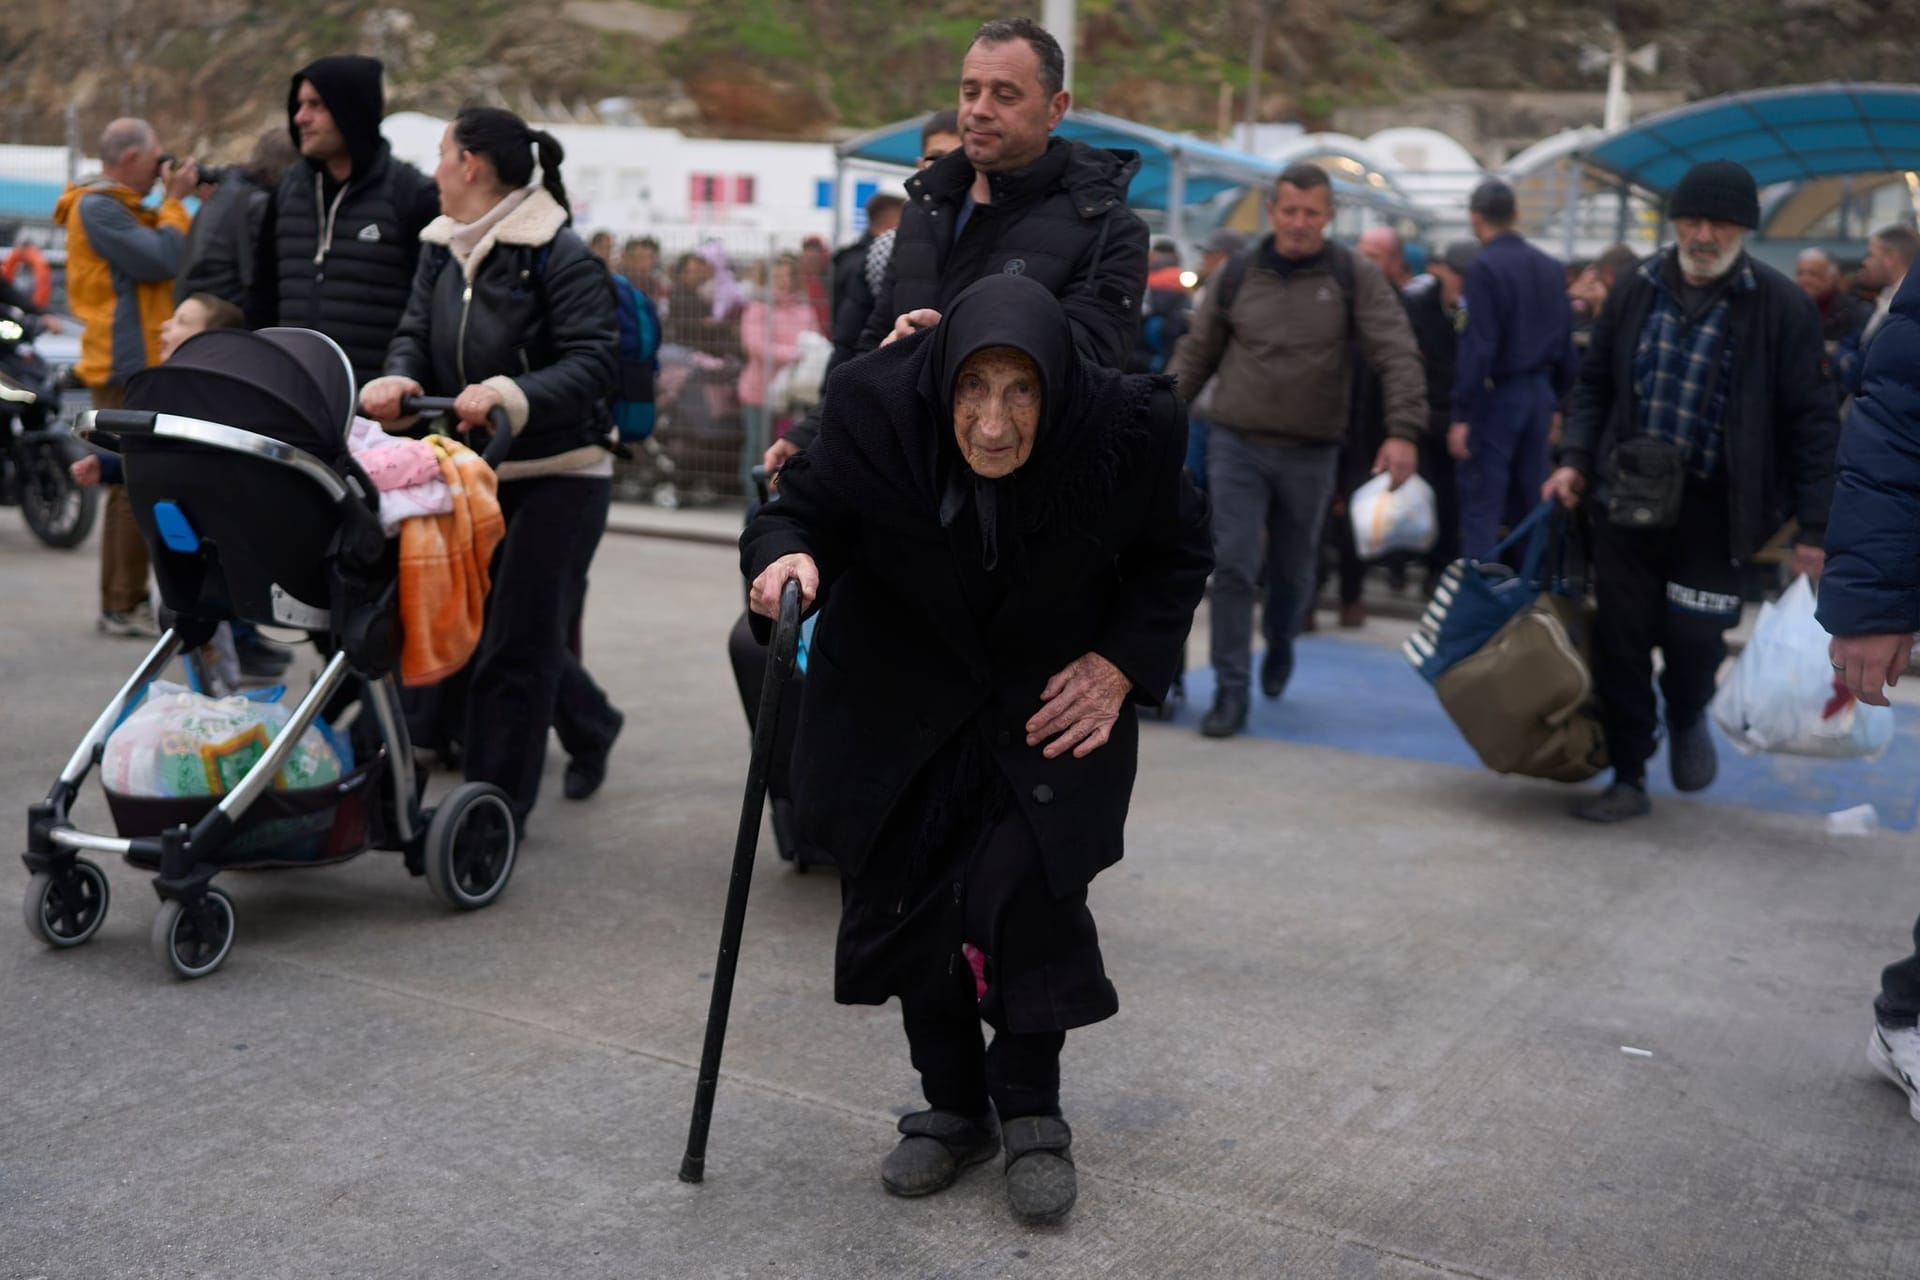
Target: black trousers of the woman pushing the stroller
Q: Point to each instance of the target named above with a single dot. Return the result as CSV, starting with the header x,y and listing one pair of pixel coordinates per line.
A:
x,y
540,573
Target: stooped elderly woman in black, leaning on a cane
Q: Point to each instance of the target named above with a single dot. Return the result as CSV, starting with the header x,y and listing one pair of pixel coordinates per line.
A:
x,y
1007,550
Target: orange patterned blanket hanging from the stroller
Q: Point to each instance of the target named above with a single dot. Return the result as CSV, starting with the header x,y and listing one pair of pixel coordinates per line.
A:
x,y
444,569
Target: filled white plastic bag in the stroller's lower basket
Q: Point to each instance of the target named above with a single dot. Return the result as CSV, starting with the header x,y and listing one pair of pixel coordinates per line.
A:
x,y
181,744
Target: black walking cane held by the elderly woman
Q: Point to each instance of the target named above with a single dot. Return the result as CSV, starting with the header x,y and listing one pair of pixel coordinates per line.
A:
x,y
780,655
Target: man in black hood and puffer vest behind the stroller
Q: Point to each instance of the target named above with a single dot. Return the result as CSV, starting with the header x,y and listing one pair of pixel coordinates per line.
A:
x,y
343,233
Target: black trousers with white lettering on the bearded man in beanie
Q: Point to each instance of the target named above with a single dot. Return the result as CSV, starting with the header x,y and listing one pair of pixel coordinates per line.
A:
x,y
1671,590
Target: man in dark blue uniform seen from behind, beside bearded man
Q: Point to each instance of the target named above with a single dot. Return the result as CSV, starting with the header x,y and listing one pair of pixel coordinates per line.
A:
x,y
1516,366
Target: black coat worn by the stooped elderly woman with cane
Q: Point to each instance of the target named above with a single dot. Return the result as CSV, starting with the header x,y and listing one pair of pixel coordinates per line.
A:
x,y
900,665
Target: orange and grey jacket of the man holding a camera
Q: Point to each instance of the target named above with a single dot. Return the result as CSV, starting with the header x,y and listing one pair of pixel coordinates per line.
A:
x,y
122,260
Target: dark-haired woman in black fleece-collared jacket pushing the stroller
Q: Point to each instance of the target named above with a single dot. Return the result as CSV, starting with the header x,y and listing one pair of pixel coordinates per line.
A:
x,y
512,312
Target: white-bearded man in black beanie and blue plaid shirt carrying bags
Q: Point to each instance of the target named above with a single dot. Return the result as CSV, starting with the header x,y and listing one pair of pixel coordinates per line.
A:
x,y
1704,423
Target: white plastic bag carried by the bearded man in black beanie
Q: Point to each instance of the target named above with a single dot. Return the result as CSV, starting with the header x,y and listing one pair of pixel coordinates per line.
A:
x,y
1783,694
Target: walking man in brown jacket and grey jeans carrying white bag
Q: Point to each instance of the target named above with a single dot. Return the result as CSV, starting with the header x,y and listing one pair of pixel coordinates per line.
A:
x,y
1280,335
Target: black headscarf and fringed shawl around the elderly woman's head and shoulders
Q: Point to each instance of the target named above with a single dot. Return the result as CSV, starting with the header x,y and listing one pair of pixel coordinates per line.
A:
x,y
888,437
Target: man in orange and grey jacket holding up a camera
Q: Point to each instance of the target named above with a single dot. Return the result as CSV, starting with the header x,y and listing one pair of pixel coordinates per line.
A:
x,y
122,258
